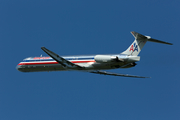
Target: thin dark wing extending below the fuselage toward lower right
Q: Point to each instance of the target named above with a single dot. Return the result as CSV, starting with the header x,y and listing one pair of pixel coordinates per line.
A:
x,y
117,74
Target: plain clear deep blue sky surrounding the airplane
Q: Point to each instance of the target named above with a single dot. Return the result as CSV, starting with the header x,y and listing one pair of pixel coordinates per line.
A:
x,y
75,27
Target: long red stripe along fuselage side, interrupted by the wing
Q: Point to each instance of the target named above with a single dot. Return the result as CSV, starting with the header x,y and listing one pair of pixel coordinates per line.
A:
x,y
40,63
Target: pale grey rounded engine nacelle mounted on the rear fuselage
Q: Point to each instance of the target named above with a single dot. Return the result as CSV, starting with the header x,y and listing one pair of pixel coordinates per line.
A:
x,y
104,58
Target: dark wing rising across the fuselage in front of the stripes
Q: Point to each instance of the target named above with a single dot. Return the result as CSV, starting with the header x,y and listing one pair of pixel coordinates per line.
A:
x,y
65,63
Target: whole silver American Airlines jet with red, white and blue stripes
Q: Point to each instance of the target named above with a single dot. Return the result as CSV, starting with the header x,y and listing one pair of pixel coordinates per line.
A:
x,y
89,63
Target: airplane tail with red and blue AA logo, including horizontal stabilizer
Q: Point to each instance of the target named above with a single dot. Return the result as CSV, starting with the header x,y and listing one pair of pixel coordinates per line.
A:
x,y
139,42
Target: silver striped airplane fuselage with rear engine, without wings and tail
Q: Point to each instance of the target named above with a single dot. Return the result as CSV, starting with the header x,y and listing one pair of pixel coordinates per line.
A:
x,y
89,62
